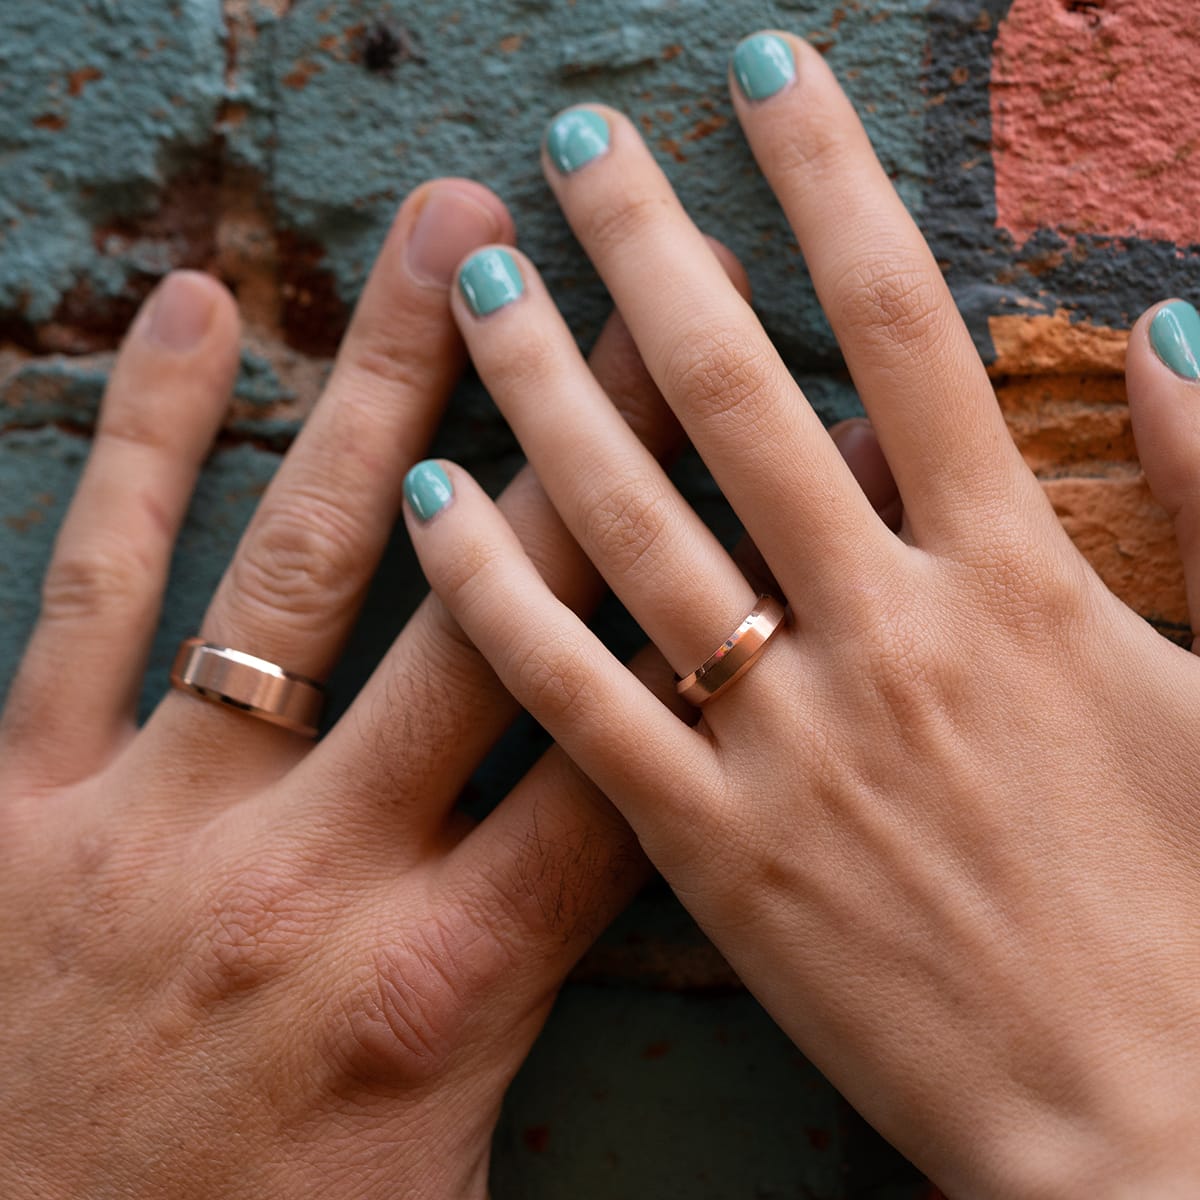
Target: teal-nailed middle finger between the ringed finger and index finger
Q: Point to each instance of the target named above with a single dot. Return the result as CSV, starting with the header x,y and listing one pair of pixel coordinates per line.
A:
x,y
713,361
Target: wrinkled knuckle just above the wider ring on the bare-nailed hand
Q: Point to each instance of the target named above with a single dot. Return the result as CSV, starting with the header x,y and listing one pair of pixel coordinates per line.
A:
x,y
304,560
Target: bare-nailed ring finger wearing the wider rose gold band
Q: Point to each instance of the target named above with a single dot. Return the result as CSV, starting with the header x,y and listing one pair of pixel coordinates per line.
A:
x,y
299,575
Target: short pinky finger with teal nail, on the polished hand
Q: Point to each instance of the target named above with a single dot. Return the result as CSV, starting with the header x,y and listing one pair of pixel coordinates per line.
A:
x,y
634,748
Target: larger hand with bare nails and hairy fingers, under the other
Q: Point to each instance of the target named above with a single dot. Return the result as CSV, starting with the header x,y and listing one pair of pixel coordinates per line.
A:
x,y
235,964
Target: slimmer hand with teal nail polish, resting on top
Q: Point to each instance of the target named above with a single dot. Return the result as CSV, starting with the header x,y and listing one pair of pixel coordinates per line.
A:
x,y
946,827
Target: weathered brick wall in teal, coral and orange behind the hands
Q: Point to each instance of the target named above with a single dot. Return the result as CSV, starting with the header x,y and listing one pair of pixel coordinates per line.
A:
x,y
1046,146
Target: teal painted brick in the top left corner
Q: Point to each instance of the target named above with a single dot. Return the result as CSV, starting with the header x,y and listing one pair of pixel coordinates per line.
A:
x,y
100,104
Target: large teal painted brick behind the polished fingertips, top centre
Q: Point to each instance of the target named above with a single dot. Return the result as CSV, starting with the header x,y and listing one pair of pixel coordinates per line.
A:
x,y
350,143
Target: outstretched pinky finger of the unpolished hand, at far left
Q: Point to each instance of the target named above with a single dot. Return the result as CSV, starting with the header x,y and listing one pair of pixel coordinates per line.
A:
x,y
73,704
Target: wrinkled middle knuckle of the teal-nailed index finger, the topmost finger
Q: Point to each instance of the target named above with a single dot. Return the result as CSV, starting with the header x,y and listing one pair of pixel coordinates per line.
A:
x,y
899,307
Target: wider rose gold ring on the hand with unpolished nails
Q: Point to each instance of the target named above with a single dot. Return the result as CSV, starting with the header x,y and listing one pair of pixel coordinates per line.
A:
x,y
249,685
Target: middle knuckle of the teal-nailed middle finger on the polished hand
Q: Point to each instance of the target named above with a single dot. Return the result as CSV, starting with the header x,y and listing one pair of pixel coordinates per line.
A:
x,y
718,376
